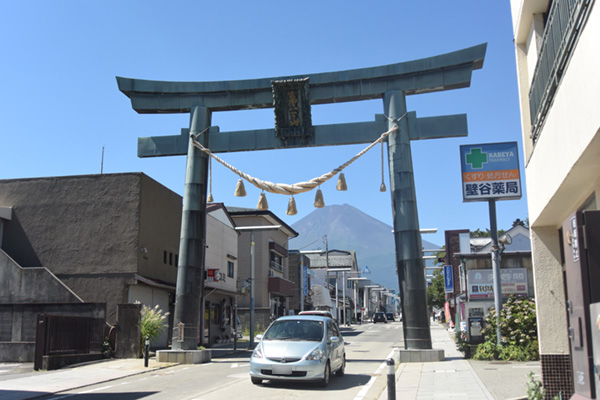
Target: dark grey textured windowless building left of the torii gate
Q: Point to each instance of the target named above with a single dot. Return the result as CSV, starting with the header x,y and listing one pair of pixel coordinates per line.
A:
x,y
109,238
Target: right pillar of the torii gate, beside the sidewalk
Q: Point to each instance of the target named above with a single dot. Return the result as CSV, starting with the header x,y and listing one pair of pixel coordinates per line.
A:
x,y
409,261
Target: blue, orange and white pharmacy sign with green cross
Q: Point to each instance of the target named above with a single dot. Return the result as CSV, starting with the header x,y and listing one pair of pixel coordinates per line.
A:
x,y
490,171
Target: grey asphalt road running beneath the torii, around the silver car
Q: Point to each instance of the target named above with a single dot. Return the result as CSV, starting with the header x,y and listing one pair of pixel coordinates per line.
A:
x,y
367,348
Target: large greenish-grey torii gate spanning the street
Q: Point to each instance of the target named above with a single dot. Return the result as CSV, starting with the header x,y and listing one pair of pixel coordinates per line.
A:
x,y
392,83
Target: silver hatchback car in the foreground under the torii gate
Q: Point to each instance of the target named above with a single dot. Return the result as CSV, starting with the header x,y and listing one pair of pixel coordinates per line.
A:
x,y
299,348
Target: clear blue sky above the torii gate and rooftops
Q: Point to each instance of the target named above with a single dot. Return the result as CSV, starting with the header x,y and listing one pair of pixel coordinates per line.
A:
x,y
60,104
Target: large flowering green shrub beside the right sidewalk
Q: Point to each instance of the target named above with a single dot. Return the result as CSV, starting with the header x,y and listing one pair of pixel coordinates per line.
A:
x,y
518,330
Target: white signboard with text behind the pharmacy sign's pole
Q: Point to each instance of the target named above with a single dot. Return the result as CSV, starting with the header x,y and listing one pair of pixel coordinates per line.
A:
x,y
481,283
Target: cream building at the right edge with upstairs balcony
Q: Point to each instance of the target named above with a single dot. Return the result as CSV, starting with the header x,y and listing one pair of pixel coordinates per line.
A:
x,y
556,44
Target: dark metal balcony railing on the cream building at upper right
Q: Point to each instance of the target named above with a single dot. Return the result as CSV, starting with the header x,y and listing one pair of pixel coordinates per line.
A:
x,y
563,26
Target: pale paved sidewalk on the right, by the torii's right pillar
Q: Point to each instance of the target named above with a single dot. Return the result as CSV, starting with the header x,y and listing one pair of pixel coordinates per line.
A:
x,y
457,378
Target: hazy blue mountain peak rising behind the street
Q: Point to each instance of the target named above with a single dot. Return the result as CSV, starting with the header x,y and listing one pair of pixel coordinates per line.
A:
x,y
348,228
